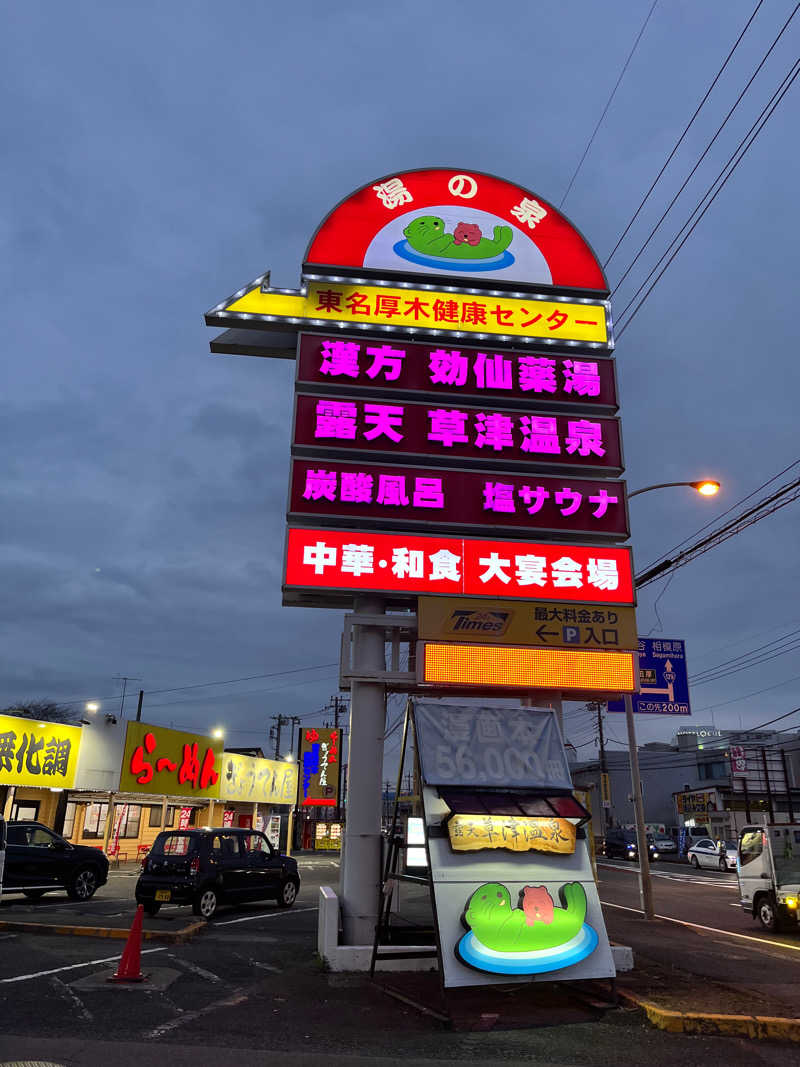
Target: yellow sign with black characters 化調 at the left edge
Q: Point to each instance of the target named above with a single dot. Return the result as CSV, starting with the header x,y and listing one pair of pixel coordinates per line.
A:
x,y
38,754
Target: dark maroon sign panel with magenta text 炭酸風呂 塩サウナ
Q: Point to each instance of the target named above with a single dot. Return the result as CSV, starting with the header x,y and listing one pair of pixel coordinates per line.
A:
x,y
437,497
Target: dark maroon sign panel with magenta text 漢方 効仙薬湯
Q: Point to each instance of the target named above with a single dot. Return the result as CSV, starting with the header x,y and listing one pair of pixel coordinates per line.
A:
x,y
459,373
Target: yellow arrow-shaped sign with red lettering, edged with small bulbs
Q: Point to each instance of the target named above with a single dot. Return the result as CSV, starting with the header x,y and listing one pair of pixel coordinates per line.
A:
x,y
422,310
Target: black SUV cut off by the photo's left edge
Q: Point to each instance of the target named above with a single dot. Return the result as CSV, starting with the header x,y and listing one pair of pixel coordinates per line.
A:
x,y
39,861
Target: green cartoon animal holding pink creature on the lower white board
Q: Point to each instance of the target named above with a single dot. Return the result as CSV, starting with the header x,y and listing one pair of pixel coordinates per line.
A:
x,y
538,925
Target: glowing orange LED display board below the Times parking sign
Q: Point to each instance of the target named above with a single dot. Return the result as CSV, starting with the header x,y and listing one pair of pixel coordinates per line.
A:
x,y
516,668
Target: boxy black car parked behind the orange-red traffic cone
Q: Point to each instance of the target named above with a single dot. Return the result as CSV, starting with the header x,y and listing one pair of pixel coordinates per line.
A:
x,y
207,868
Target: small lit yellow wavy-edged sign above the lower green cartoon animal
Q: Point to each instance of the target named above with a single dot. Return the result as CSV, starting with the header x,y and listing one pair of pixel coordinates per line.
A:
x,y
470,834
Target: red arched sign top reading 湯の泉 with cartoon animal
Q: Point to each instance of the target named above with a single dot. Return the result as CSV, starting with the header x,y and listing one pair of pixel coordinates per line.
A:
x,y
463,225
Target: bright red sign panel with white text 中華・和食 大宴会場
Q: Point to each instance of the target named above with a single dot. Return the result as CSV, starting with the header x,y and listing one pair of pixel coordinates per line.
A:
x,y
355,562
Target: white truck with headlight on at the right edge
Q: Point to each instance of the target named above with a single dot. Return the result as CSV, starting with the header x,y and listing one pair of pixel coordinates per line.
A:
x,y
769,869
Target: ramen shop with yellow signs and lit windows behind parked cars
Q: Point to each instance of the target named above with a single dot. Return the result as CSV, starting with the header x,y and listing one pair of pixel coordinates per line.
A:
x,y
154,779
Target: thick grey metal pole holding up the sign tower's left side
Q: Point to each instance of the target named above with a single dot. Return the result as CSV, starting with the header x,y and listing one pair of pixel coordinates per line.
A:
x,y
361,875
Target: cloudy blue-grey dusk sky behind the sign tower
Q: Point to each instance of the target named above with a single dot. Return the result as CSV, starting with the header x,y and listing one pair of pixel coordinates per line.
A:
x,y
159,157
